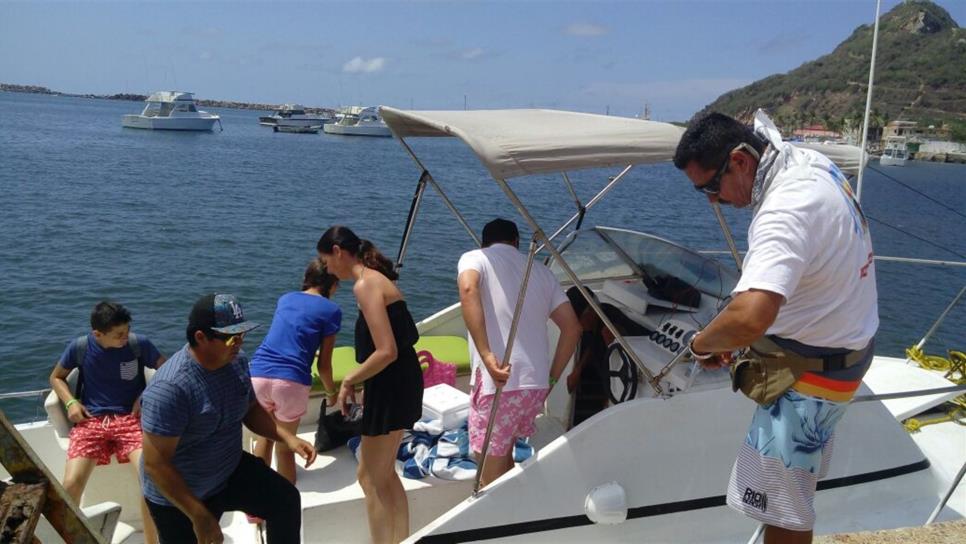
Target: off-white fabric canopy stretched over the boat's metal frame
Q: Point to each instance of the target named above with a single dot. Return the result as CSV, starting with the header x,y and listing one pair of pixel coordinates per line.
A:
x,y
523,142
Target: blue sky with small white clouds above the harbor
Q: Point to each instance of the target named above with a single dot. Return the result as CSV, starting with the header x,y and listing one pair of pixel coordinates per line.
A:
x,y
600,56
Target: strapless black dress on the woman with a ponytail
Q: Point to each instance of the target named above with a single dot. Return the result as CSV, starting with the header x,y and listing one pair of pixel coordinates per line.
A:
x,y
393,398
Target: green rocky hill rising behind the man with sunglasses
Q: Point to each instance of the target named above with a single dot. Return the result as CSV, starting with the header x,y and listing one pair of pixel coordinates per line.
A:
x,y
920,76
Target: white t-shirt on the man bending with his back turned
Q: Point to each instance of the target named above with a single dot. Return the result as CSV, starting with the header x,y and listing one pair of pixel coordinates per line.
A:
x,y
501,268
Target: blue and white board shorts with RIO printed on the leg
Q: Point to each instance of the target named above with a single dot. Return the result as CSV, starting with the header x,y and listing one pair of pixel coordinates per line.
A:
x,y
785,454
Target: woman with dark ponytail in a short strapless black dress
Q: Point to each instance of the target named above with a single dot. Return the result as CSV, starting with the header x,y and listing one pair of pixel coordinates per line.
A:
x,y
388,368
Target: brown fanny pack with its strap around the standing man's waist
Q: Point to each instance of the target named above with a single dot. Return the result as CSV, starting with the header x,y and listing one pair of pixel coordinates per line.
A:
x,y
765,370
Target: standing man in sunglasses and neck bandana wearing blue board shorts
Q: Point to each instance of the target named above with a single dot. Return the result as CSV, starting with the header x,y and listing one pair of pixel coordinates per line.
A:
x,y
808,284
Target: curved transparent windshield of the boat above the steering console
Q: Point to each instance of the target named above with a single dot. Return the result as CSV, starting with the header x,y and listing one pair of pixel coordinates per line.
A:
x,y
608,253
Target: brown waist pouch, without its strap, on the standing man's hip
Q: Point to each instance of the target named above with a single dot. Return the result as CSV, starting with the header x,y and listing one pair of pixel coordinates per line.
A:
x,y
764,371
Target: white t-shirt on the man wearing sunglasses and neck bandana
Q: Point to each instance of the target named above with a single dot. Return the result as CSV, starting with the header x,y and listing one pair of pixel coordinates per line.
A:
x,y
809,242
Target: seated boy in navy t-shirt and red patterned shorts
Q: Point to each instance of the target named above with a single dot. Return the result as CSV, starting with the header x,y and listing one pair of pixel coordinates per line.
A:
x,y
106,415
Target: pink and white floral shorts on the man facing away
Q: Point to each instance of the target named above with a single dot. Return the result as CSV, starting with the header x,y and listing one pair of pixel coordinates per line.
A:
x,y
514,418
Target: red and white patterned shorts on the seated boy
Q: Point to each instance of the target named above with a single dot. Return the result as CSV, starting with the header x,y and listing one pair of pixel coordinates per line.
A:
x,y
100,437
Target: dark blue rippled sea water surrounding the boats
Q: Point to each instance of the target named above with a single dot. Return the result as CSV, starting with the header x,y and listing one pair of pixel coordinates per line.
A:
x,y
90,210
